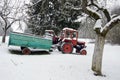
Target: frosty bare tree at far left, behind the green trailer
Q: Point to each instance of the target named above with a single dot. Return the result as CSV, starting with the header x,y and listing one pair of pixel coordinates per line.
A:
x,y
10,13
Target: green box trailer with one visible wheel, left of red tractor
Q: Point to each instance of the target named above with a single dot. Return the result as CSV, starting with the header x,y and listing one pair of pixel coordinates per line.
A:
x,y
26,41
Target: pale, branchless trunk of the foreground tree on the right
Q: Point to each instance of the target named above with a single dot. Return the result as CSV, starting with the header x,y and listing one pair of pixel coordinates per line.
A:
x,y
98,53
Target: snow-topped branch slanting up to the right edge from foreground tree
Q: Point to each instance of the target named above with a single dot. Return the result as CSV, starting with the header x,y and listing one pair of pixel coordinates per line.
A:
x,y
110,24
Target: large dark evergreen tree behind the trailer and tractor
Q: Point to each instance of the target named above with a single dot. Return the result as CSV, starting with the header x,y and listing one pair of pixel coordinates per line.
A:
x,y
52,14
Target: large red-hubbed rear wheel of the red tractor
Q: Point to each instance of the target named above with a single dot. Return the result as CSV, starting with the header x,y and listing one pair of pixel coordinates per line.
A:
x,y
67,48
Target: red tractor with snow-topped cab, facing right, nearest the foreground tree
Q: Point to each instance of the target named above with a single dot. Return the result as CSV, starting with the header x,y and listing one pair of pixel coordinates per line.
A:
x,y
69,40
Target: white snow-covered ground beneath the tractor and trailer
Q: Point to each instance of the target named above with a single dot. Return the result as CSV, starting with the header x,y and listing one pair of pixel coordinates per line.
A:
x,y
58,66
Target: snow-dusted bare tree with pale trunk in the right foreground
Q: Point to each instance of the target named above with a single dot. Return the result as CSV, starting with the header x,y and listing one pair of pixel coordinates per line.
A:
x,y
104,23
